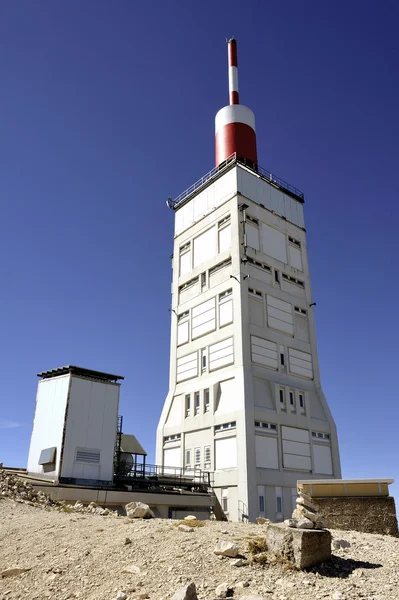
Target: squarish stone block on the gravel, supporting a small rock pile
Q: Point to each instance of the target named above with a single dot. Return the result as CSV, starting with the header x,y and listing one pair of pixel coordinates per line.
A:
x,y
301,547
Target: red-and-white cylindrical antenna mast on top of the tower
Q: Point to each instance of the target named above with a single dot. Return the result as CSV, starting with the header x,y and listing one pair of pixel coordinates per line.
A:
x,y
235,124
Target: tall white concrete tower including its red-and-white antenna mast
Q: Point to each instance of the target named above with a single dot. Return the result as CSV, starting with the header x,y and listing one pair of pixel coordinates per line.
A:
x,y
245,399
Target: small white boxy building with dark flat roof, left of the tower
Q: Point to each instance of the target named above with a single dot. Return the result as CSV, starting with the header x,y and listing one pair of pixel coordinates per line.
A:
x,y
75,426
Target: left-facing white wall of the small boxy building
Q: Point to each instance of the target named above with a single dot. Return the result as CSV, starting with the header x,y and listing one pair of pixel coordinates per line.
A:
x,y
50,407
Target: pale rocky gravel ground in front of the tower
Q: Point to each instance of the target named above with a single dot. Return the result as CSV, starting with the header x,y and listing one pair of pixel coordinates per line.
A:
x,y
64,555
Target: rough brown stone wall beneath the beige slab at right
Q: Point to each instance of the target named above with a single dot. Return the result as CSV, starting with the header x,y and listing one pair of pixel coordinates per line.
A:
x,y
367,514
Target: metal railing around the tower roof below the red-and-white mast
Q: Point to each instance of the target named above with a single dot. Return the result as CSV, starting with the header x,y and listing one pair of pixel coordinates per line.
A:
x,y
225,165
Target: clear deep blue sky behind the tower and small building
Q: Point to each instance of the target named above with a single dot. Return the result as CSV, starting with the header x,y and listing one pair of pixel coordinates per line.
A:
x,y
107,108
